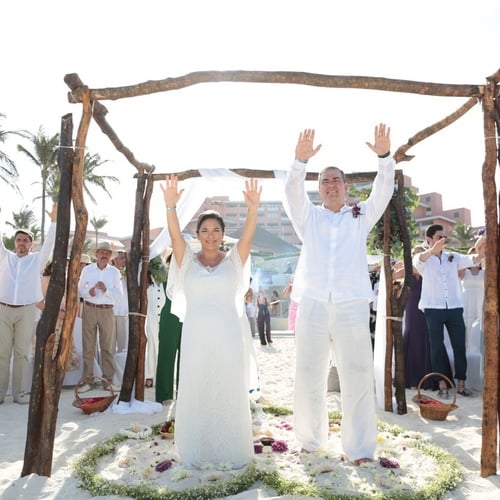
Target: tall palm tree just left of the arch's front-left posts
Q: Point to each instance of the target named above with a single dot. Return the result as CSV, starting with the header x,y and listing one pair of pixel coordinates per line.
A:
x,y
44,155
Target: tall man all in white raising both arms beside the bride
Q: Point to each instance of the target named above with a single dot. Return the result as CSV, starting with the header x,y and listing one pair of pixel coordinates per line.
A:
x,y
333,290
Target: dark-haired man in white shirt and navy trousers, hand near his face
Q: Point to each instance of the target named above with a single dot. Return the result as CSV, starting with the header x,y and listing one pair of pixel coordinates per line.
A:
x,y
442,302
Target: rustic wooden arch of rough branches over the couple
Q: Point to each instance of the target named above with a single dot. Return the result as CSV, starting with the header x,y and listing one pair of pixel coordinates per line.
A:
x,y
49,371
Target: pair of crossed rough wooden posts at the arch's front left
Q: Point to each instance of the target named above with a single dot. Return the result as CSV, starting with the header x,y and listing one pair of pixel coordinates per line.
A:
x,y
50,368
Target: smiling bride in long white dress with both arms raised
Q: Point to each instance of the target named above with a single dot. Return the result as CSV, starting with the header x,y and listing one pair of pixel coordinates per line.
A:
x,y
212,417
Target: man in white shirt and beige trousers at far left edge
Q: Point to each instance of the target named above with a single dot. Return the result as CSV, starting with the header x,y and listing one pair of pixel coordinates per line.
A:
x,y
20,289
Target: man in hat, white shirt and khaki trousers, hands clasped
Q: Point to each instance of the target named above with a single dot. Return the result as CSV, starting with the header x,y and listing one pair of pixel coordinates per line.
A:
x,y
100,287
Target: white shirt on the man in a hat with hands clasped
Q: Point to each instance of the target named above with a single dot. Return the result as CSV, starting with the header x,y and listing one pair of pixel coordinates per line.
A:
x,y
111,278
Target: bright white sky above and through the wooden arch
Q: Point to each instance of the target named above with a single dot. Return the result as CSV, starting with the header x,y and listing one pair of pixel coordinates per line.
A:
x,y
229,125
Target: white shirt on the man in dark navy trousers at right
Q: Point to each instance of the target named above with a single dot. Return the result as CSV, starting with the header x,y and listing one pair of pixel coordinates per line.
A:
x,y
441,286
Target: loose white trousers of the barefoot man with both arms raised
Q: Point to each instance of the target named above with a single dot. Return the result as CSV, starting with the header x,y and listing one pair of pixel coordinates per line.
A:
x,y
343,327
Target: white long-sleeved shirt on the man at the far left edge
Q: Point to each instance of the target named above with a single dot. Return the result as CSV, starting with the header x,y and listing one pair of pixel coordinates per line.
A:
x,y
20,277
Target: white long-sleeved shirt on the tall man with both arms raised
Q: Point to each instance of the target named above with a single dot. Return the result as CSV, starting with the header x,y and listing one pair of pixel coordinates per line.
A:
x,y
333,265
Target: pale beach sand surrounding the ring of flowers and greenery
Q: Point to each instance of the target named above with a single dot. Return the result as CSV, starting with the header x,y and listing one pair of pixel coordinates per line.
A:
x,y
459,434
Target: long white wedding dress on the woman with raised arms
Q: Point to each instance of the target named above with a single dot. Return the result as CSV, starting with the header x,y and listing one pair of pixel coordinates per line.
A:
x,y
212,417
